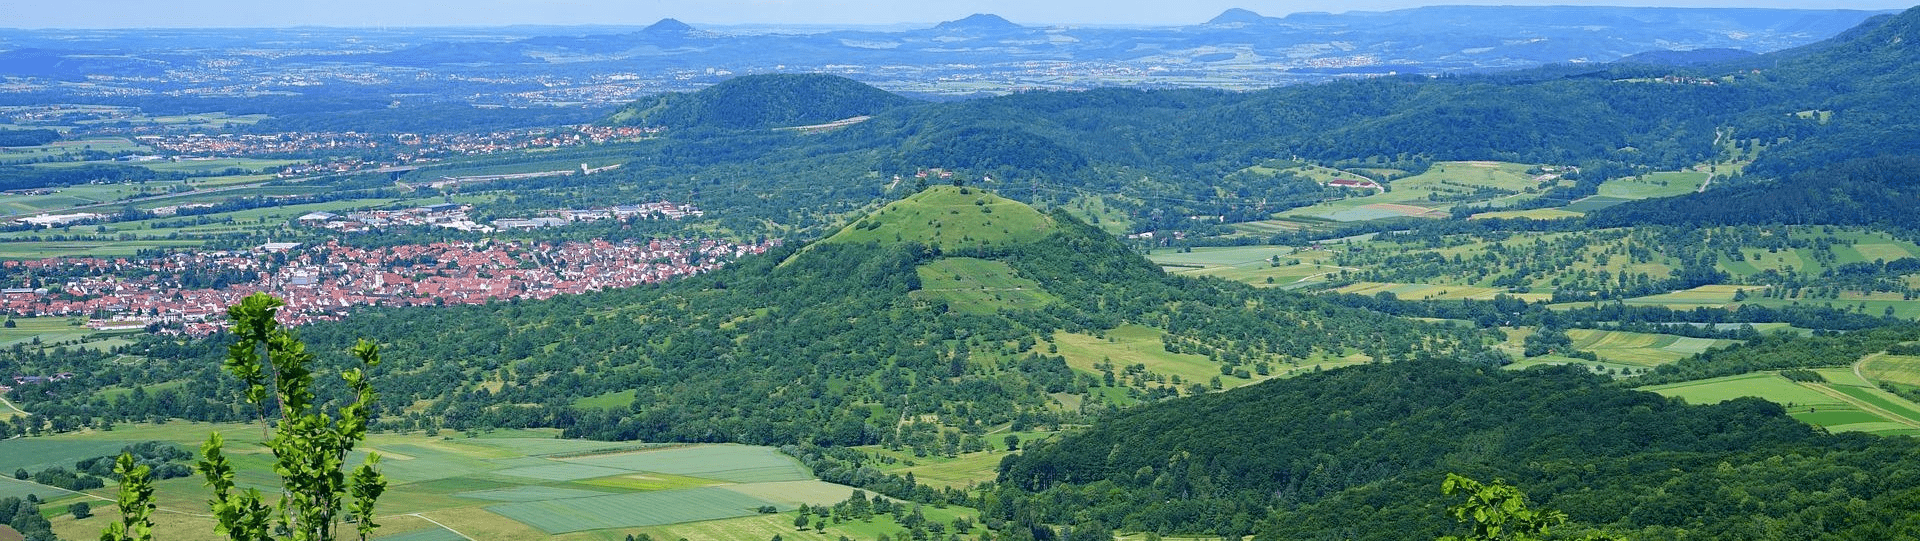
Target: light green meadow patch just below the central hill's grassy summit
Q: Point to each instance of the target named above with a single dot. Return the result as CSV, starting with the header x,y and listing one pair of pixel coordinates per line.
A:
x,y
980,287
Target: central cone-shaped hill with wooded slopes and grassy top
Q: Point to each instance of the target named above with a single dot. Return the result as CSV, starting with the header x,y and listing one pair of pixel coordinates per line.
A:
x,y
832,342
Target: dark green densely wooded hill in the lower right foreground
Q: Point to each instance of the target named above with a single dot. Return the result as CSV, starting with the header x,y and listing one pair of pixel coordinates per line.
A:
x,y
1358,454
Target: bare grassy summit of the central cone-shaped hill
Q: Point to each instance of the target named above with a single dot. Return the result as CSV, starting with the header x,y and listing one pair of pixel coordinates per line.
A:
x,y
951,218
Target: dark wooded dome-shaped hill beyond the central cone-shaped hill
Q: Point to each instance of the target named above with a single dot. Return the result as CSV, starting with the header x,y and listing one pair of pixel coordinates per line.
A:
x,y
761,103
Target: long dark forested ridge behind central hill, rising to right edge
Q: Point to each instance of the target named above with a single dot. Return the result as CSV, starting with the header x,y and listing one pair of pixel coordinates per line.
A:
x,y
1164,158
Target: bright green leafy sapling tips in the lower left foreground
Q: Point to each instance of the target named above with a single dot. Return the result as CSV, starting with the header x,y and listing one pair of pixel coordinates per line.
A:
x,y
308,442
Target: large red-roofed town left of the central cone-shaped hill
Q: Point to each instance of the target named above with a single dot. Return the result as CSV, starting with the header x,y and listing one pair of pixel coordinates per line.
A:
x,y
324,283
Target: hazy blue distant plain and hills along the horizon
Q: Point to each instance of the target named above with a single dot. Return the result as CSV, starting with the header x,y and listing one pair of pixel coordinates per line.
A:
x,y
982,53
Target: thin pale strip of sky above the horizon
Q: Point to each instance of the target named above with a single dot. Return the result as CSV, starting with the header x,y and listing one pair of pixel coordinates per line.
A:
x,y
118,14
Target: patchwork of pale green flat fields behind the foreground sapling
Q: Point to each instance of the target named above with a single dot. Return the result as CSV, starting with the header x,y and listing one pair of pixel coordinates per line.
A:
x,y
508,484
